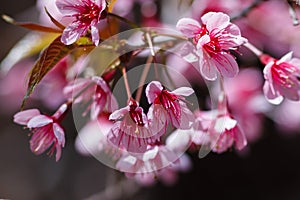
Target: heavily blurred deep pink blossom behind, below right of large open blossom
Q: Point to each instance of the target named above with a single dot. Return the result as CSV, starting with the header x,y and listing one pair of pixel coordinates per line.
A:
x,y
247,102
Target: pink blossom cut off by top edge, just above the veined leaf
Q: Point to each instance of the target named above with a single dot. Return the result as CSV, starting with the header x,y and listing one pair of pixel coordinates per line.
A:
x,y
87,14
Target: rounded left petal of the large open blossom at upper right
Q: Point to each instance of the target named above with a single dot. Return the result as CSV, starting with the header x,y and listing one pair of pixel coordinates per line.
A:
x,y
189,27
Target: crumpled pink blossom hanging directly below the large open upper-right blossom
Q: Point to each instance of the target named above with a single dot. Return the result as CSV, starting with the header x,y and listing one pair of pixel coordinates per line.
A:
x,y
215,129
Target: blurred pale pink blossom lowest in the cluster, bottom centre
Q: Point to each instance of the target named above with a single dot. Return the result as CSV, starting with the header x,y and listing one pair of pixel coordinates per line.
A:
x,y
158,162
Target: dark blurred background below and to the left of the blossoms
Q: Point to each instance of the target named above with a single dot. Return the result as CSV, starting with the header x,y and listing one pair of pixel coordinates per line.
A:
x,y
269,169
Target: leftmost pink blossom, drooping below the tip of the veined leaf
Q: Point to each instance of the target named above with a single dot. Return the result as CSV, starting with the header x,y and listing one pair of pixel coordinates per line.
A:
x,y
46,130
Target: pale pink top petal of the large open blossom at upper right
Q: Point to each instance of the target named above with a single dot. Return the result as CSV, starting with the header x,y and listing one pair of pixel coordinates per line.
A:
x,y
214,20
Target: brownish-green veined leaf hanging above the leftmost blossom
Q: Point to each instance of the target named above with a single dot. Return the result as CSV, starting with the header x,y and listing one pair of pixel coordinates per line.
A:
x,y
48,59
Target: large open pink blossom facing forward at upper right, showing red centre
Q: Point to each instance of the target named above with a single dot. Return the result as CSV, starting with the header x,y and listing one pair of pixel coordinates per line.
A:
x,y
213,40
